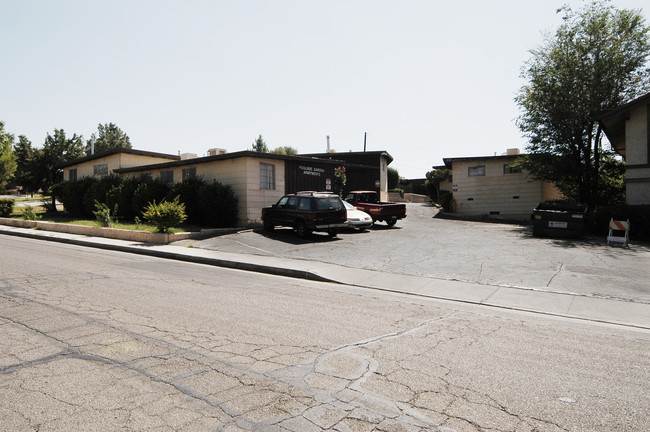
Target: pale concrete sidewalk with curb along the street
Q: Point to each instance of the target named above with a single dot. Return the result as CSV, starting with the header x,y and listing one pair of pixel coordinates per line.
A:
x,y
581,307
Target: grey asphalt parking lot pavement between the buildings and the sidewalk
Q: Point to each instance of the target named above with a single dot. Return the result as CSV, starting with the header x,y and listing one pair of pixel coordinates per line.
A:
x,y
494,254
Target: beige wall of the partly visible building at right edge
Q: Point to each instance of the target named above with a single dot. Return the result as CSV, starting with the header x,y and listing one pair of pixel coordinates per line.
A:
x,y
637,159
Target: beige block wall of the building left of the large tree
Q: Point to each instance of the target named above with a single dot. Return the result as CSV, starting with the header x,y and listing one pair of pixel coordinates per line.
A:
x,y
506,195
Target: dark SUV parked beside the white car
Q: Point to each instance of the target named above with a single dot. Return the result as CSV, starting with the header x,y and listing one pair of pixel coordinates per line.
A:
x,y
306,212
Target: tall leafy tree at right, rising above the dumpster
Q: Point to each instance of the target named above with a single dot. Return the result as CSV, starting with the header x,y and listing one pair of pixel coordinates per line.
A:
x,y
595,61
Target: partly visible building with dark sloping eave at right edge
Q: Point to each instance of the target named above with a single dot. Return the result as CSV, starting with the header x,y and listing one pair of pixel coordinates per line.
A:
x,y
628,130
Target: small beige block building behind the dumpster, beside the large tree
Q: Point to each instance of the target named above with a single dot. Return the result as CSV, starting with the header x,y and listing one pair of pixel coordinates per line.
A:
x,y
492,186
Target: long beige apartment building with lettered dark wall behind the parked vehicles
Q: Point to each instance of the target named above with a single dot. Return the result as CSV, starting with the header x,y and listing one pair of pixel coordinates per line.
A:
x,y
258,179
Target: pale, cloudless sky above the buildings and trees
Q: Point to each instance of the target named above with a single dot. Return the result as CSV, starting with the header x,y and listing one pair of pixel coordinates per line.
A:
x,y
424,79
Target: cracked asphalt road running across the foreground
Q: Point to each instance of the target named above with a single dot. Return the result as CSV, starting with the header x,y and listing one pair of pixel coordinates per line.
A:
x,y
100,340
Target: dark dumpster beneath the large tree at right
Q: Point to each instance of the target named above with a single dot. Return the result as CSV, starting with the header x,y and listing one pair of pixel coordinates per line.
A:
x,y
559,219
